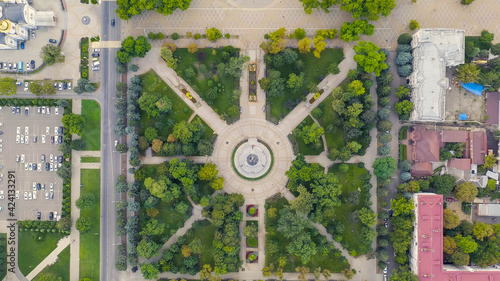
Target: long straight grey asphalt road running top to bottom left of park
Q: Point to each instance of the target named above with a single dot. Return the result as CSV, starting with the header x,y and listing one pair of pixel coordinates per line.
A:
x,y
110,158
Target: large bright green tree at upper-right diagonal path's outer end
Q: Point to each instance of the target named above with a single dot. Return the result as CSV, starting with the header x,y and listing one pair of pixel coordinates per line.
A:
x,y
369,57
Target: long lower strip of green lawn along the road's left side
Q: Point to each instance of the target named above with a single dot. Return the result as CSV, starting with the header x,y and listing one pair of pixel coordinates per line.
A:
x,y
90,241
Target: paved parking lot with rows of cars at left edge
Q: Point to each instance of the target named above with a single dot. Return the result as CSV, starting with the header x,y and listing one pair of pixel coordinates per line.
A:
x,y
19,152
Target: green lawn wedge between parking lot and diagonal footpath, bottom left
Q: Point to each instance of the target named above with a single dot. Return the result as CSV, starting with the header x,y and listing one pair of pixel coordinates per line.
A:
x,y
34,247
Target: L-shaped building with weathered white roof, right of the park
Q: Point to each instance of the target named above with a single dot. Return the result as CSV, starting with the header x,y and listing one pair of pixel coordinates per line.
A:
x,y
433,51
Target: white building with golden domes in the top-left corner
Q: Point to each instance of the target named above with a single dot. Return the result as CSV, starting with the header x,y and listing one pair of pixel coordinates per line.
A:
x,y
17,17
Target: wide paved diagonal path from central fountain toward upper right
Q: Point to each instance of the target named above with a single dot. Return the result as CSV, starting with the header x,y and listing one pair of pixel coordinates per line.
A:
x,y
300,112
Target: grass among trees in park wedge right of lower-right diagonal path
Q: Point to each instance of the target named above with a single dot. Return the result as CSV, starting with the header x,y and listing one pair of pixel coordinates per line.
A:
x,y
350,181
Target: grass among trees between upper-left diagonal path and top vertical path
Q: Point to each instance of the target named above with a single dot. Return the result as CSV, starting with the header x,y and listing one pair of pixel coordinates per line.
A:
x,y
200,82
